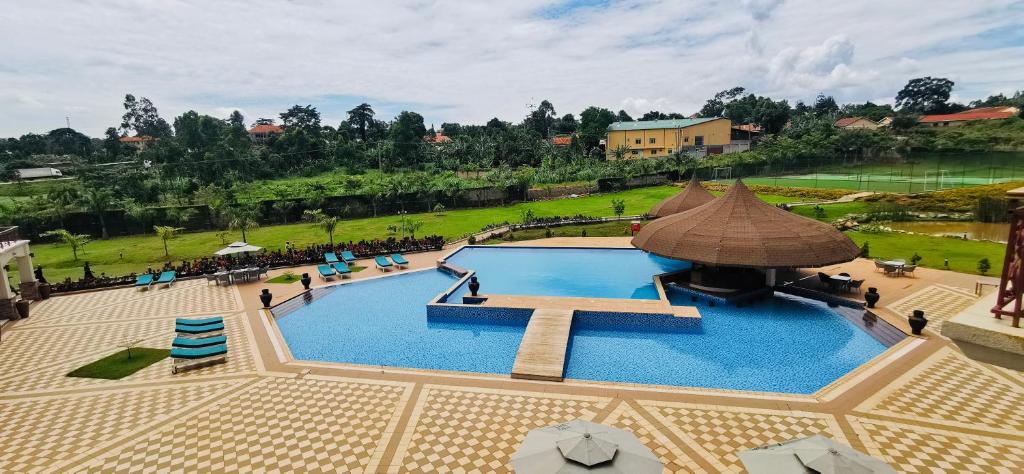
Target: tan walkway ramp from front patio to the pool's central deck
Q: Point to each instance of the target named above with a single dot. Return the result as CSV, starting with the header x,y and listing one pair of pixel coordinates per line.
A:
x,y
542,353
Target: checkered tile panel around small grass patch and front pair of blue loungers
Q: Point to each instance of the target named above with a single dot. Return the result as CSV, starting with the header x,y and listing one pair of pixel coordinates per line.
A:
x,y
242,359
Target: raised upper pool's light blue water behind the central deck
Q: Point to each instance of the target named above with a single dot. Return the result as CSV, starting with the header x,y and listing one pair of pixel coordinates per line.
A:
x,y
579,273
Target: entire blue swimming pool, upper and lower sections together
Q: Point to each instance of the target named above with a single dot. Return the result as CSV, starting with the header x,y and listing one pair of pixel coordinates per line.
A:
x,y
782,344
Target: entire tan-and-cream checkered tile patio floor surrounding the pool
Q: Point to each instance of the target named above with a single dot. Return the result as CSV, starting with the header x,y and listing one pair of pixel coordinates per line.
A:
x,y
930,410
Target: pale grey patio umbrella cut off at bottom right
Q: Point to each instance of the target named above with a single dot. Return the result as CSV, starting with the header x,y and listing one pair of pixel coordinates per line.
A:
x,y
817,454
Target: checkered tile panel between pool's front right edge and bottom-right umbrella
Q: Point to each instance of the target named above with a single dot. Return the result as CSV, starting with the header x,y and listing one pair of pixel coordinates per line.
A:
x,y
718,434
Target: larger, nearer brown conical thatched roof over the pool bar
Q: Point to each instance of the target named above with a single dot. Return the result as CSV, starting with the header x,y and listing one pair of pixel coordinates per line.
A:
x,y
740,230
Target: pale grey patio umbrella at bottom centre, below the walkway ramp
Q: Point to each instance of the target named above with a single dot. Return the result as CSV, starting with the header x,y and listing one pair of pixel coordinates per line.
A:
x,y
584,447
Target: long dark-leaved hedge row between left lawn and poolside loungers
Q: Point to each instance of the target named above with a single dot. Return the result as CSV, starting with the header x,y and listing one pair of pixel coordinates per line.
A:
x,y
290,256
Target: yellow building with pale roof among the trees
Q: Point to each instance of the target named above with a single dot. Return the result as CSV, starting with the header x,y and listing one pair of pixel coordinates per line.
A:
x,y
659,139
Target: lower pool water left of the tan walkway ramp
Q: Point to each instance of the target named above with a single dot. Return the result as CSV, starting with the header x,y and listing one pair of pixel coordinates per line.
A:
x,y
383,322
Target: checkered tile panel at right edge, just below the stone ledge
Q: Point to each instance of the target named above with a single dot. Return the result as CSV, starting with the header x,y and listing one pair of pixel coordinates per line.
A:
x,y
956,392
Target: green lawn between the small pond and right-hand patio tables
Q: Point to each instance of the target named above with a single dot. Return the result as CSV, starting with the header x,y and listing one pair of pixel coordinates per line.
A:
x,y
963,255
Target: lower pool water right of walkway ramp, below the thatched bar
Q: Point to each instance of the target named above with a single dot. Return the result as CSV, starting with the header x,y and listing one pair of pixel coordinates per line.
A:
x,y
783,344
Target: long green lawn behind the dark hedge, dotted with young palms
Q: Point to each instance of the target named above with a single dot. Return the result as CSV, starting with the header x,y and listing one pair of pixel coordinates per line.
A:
x,y
125,255
